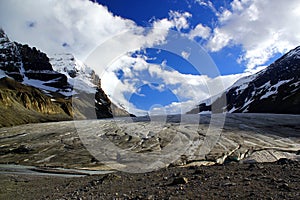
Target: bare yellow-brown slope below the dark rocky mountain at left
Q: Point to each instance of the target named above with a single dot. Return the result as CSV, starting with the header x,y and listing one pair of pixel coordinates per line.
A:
x,y
21,104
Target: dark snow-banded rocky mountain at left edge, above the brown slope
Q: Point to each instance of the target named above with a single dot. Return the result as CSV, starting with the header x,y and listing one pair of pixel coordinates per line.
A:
x,y
30,67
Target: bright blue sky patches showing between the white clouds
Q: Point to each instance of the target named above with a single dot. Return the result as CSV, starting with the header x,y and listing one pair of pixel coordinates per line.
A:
x,y
143,13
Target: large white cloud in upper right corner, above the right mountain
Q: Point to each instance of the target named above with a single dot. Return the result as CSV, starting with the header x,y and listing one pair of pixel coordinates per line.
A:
x,y
263,28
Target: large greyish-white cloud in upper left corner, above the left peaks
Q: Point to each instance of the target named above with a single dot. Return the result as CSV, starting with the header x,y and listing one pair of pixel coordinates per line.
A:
x,y
79,24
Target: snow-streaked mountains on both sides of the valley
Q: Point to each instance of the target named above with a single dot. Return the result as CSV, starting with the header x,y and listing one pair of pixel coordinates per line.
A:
x,y
36,88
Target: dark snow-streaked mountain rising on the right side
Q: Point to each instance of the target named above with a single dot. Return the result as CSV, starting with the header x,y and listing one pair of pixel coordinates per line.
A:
x,y
275,89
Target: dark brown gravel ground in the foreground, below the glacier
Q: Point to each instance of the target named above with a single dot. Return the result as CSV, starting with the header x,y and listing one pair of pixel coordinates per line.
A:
x,y
279,180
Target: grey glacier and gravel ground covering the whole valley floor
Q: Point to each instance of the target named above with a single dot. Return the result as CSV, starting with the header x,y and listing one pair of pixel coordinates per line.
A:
x,y
253,156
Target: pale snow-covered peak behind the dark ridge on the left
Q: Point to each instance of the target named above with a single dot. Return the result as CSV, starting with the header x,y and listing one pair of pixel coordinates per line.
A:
x,y
85,80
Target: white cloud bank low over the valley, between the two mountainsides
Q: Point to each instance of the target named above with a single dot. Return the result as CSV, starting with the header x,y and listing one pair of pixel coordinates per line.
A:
x,y
189,89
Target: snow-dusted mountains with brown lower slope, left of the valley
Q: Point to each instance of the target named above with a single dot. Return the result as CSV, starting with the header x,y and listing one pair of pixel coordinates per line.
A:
x,y
34,88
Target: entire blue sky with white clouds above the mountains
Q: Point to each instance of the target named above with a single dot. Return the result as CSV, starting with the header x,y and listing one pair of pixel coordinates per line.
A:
x,y
159,56
